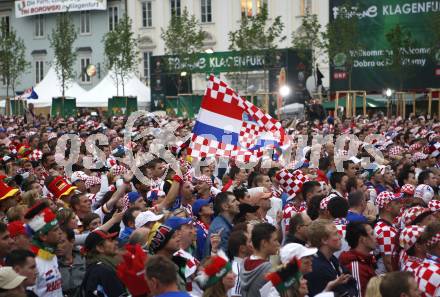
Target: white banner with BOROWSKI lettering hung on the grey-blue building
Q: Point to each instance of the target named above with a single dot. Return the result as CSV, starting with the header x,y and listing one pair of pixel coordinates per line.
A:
x,y
25,8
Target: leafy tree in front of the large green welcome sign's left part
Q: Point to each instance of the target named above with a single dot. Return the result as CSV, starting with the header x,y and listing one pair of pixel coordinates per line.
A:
x,y
341,39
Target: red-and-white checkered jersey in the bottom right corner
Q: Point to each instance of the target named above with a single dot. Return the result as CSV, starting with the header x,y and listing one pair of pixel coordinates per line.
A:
x,y
428,278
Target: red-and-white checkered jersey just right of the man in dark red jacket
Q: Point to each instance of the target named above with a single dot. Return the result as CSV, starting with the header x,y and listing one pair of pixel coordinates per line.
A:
x,y
387,243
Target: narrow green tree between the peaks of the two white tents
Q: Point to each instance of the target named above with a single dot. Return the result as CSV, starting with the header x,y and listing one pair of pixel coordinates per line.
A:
x,y
61,40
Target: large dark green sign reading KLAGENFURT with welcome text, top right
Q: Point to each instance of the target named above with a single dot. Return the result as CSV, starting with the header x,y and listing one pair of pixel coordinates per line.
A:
x,y
371,71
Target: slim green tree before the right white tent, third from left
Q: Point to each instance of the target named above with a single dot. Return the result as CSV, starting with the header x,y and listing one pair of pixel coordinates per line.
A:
x,y
120,51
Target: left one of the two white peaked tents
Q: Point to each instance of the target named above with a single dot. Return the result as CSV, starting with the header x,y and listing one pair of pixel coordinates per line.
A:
x,y
50,87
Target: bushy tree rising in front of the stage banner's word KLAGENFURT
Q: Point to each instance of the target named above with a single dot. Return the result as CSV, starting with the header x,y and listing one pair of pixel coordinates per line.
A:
x,y
256,35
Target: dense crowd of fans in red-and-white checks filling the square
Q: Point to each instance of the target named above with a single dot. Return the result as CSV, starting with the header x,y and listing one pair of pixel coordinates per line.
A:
x,y
217,231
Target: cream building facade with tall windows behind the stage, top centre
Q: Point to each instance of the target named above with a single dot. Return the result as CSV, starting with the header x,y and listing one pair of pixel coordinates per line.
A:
x,y
217,18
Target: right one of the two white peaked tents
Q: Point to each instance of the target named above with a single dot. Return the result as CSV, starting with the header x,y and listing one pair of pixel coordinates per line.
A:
x,y
99,95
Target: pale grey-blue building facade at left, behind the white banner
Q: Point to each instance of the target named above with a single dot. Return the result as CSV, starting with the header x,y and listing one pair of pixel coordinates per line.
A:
x,y
35,30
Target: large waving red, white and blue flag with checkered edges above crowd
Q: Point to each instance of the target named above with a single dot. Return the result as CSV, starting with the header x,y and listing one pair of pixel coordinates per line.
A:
x,y
229,126
